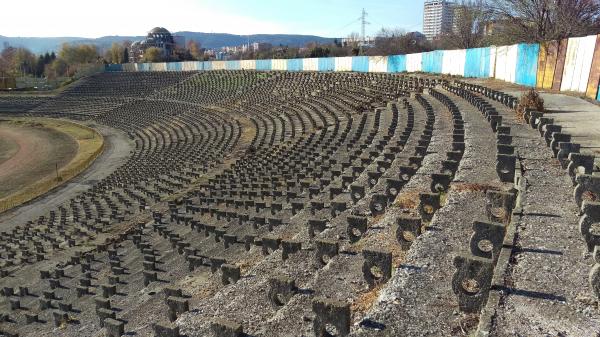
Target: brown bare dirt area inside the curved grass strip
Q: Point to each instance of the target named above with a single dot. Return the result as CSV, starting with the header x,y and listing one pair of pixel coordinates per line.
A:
x,y
33,154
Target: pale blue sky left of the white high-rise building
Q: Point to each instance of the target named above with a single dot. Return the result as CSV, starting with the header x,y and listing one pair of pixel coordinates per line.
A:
x,y
330,18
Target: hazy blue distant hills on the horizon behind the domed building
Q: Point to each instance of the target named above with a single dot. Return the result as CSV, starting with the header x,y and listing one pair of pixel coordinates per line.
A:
x,y
207,40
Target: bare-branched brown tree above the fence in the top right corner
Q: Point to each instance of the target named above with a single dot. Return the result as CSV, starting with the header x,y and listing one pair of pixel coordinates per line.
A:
x,y
543,20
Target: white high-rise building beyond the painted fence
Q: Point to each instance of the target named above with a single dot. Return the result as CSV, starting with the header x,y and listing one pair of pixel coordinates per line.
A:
x,y
438,18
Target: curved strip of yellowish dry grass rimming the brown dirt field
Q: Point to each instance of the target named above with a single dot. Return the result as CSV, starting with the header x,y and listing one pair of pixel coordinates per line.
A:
x,y
90,146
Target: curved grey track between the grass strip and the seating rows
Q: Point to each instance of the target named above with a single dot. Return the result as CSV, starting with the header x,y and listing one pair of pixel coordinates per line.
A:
x,y
117,149
